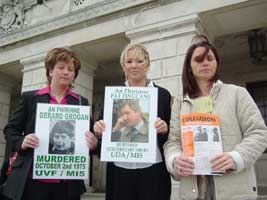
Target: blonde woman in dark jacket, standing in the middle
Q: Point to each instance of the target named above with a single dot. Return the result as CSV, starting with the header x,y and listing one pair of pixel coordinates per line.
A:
x,y
140,181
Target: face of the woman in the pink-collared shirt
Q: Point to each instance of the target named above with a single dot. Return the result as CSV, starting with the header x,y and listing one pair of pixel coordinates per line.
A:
x,y
63,74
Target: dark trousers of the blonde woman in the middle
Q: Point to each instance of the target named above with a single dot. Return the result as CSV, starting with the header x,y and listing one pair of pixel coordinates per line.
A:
x,y
152,183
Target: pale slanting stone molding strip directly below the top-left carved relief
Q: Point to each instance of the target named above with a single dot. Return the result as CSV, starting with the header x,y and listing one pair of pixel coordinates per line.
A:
x,y
81,15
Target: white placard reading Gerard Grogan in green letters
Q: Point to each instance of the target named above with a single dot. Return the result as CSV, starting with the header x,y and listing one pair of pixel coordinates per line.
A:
x,y
62,152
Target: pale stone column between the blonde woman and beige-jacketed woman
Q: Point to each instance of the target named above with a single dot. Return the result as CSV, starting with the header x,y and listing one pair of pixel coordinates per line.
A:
x,y
167,43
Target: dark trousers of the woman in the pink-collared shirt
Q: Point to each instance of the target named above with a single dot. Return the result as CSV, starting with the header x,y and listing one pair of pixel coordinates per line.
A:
x,y
35,189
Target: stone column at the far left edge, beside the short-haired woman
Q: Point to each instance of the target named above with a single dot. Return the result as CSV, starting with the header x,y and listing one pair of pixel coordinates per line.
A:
x,y
5,98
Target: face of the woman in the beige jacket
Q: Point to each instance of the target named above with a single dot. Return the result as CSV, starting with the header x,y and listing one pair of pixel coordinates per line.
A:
x,y
203,69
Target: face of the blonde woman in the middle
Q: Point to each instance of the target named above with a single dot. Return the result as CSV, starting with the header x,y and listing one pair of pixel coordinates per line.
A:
x,y
135,67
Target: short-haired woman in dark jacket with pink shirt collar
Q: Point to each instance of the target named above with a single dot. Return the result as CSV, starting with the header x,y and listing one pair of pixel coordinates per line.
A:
x,y
62,67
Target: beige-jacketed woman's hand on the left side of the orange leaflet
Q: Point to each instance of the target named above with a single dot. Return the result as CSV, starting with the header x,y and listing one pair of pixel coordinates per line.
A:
x,y
184,166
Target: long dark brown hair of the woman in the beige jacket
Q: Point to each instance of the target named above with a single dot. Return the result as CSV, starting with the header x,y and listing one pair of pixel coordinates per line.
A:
x,y
190,86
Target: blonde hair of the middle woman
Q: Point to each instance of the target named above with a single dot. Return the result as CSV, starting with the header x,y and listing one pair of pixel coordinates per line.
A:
x,y
138,49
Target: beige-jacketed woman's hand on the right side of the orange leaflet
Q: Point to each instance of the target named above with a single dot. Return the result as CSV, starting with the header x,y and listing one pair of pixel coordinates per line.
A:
x,y
223,162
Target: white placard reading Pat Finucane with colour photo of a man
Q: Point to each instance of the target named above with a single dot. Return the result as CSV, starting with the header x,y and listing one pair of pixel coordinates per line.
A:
x,y
130,114
